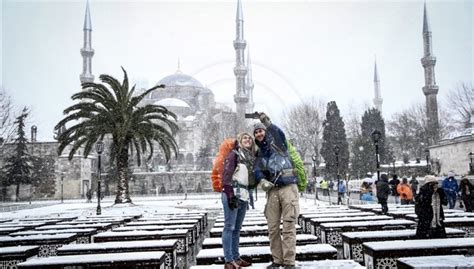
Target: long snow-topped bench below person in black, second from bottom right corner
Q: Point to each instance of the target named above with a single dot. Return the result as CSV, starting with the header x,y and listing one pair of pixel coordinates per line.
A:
x,y
384,254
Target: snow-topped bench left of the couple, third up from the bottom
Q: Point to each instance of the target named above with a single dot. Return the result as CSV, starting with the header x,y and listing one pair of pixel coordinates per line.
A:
x,y
180,235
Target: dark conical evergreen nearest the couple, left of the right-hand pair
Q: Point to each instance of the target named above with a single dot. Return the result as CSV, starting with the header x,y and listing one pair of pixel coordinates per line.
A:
x,y
334,135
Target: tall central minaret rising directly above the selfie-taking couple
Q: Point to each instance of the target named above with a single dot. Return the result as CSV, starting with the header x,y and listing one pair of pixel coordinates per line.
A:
x,y
240,71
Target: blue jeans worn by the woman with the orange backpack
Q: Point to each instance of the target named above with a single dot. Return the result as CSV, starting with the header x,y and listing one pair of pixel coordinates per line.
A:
x,y
233,219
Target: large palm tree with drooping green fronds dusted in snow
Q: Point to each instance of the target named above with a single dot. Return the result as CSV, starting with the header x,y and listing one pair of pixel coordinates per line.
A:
x,y
115,113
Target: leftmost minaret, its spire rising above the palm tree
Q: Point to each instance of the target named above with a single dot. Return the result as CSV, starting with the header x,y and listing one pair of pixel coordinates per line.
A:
x,y
87,52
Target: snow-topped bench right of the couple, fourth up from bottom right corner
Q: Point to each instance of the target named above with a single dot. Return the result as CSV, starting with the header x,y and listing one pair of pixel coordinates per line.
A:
x,y
331,231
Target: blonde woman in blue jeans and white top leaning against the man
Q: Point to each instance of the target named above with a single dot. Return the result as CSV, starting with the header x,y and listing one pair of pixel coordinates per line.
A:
x,y
238,172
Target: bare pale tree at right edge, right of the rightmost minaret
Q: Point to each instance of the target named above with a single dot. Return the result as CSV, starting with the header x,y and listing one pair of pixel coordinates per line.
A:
x,y
460,105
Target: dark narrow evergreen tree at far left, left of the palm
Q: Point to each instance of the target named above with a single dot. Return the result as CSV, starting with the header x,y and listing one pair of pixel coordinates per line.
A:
x,y
18,165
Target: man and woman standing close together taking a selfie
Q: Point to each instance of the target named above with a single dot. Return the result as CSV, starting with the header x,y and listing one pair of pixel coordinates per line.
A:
x,y
271,167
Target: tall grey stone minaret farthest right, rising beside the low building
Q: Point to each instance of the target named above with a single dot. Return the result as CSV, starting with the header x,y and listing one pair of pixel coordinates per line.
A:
x,y
430,89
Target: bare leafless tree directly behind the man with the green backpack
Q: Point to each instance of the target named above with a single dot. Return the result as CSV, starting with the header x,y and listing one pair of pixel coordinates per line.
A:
x,y
304,125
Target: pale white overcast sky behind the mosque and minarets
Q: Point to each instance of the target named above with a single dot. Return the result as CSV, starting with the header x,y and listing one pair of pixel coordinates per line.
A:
x,y
299,49
